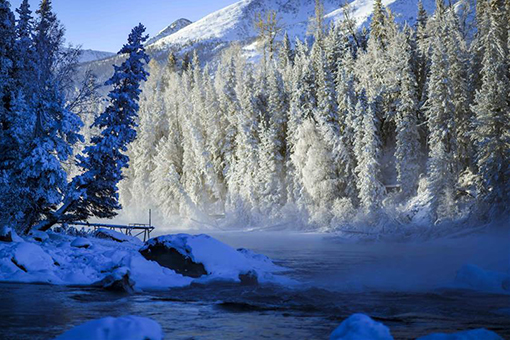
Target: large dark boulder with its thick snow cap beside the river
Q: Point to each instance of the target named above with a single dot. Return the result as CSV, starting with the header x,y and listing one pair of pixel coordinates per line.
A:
x,y
220,261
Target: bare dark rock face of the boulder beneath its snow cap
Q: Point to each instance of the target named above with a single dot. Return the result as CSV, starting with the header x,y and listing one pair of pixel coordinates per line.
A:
x,y
170,257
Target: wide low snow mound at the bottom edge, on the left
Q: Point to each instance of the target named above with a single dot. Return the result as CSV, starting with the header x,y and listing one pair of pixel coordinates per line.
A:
x,y
109,328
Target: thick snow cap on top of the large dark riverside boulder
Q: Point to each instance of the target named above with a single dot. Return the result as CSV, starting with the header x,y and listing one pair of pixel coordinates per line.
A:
x,y
221,261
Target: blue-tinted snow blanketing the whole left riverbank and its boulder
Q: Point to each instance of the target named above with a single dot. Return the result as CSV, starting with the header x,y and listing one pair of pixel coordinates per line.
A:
x,y
56,261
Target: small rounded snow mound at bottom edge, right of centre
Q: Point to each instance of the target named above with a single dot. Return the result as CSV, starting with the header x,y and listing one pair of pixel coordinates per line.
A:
x,y
361,326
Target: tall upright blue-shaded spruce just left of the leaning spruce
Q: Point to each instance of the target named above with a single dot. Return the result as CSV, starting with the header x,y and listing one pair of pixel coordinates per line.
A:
x,y
56,128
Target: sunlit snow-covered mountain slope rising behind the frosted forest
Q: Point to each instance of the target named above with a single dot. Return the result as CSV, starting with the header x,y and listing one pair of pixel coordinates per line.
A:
x,y
236,22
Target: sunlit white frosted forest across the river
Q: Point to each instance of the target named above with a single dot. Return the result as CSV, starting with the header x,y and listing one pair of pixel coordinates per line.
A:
x,y
386,125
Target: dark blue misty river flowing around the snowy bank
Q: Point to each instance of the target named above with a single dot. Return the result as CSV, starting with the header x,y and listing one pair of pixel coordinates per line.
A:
x,y
405,286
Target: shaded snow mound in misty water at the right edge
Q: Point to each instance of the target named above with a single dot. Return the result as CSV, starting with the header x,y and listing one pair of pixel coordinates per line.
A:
x,y
474,277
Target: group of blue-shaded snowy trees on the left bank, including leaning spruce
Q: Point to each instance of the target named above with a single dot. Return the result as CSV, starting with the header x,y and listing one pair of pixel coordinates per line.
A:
x,y
40,124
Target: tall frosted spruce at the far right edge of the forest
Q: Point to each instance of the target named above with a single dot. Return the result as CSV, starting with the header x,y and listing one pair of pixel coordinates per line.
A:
x,y
492,113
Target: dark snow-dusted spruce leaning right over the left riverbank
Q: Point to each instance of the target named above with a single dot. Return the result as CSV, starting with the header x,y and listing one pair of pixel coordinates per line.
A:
x,y
95,192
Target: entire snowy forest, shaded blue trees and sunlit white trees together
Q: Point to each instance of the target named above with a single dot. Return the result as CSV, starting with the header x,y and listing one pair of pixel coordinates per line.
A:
x,y
386,125
